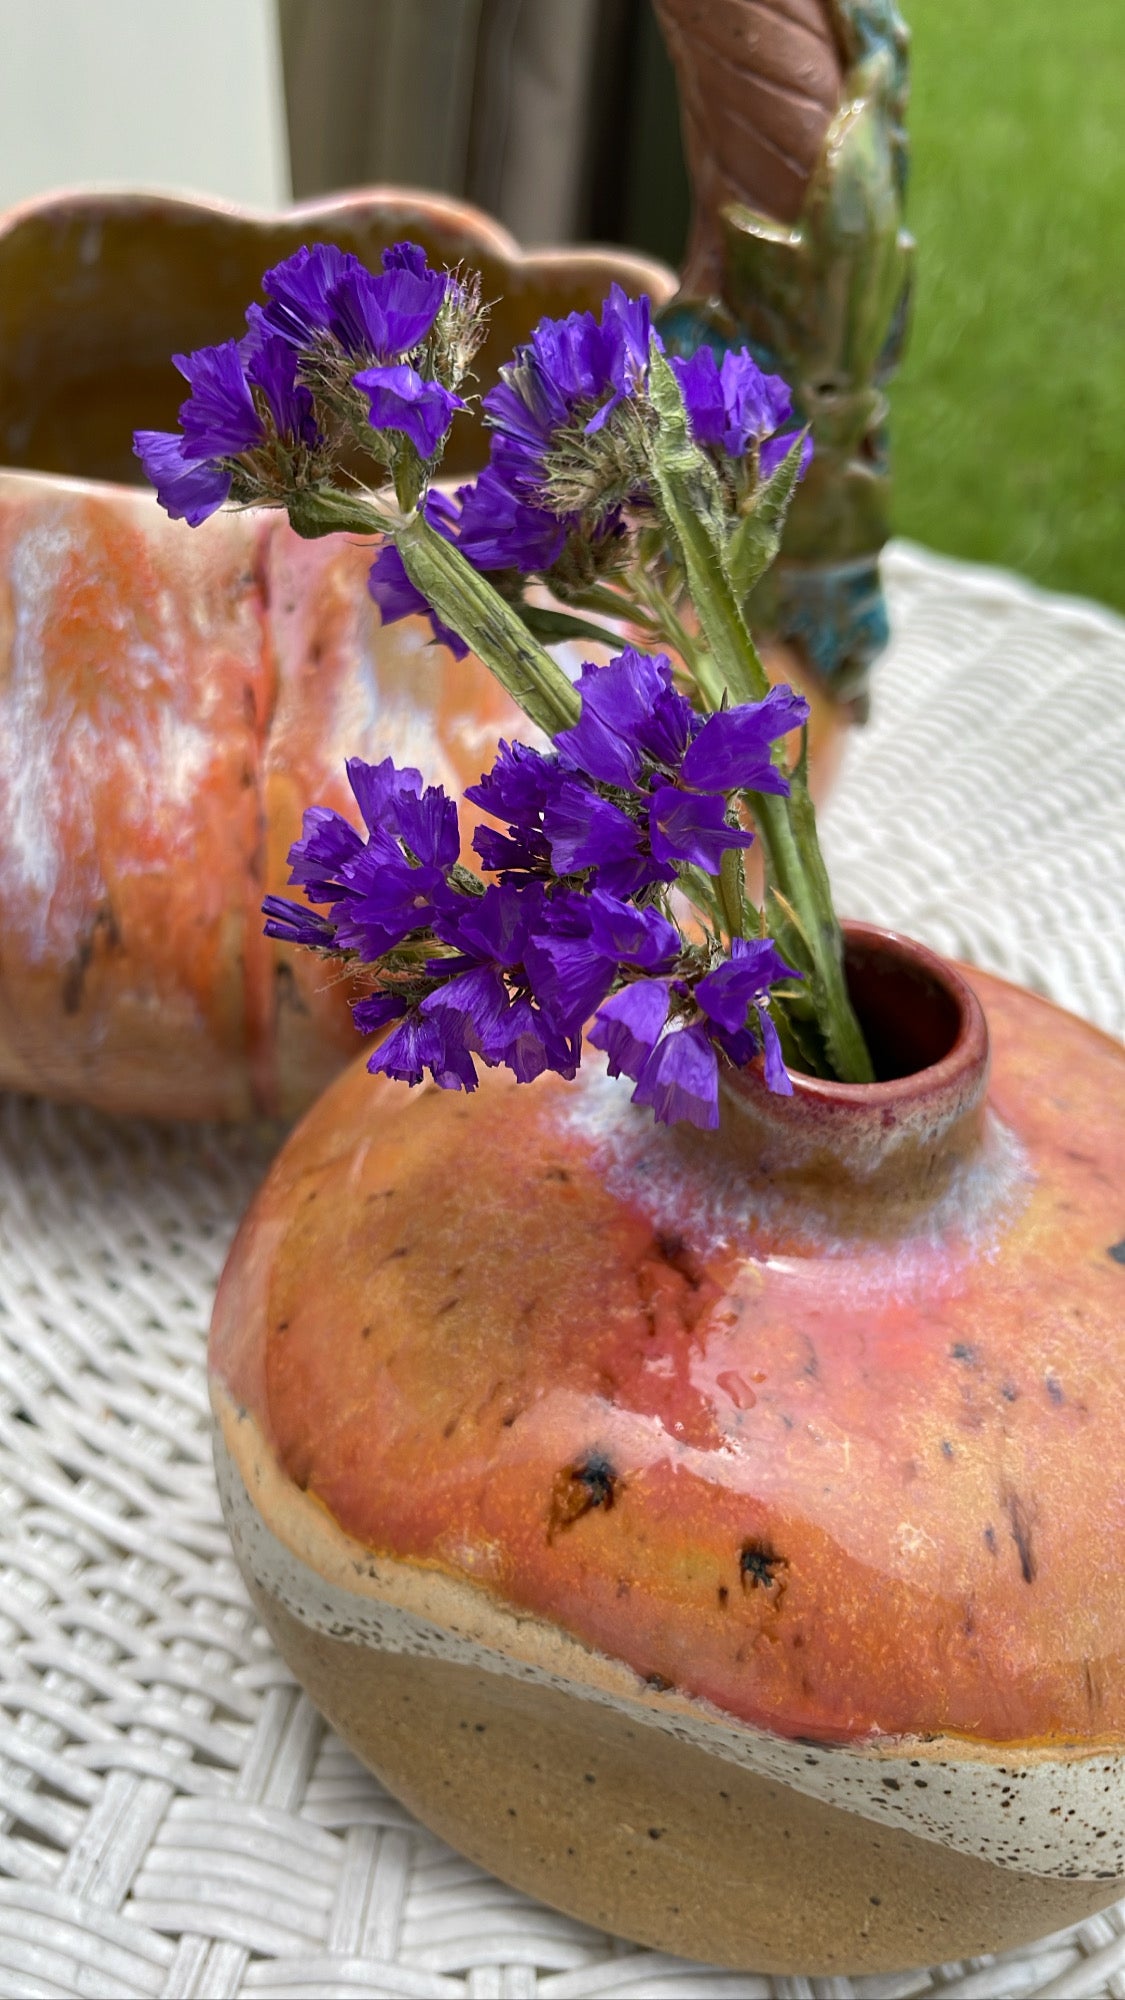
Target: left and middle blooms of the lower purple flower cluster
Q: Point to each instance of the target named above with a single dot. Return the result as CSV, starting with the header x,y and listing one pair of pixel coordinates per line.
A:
x,y
463,971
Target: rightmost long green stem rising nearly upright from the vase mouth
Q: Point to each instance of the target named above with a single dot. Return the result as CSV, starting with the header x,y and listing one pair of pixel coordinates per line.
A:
x,y
692,505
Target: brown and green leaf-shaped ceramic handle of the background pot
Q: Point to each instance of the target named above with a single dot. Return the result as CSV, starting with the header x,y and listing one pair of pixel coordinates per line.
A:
x,y
800,249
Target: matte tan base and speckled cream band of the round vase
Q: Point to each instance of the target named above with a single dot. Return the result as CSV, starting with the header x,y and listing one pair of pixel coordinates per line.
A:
x,y
634,1809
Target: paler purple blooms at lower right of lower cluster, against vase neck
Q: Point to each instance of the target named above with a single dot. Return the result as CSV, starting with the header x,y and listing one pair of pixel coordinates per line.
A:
x,y
676,1059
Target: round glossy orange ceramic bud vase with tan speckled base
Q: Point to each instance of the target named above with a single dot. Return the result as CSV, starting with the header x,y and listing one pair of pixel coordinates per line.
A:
x,y
718,1535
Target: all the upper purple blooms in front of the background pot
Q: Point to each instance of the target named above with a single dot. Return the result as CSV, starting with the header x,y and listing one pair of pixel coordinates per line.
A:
x,y
251,425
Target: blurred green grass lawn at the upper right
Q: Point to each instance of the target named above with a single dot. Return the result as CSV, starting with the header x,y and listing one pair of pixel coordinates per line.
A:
x,y
1010,411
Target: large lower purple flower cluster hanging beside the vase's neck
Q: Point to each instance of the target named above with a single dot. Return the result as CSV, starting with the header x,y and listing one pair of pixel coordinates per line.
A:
x,y
572,929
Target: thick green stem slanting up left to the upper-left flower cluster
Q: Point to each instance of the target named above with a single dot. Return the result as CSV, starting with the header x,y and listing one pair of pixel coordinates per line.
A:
x,y
461,599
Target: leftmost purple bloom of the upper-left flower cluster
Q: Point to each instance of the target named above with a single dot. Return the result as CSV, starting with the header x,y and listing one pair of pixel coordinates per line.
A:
x,y
223,419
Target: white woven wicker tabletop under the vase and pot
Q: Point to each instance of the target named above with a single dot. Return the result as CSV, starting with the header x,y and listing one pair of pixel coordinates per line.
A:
x,y
175,1819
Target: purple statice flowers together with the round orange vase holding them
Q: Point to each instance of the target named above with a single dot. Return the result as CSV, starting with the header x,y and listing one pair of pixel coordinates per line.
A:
x,y
644,1415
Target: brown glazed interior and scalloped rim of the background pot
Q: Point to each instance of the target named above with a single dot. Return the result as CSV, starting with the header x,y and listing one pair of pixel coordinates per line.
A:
x,y
149,275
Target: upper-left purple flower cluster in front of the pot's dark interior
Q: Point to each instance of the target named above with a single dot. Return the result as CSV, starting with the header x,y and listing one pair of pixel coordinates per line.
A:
x,y
249,395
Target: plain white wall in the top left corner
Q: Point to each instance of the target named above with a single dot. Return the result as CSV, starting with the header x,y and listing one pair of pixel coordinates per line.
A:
x,y
151,93
